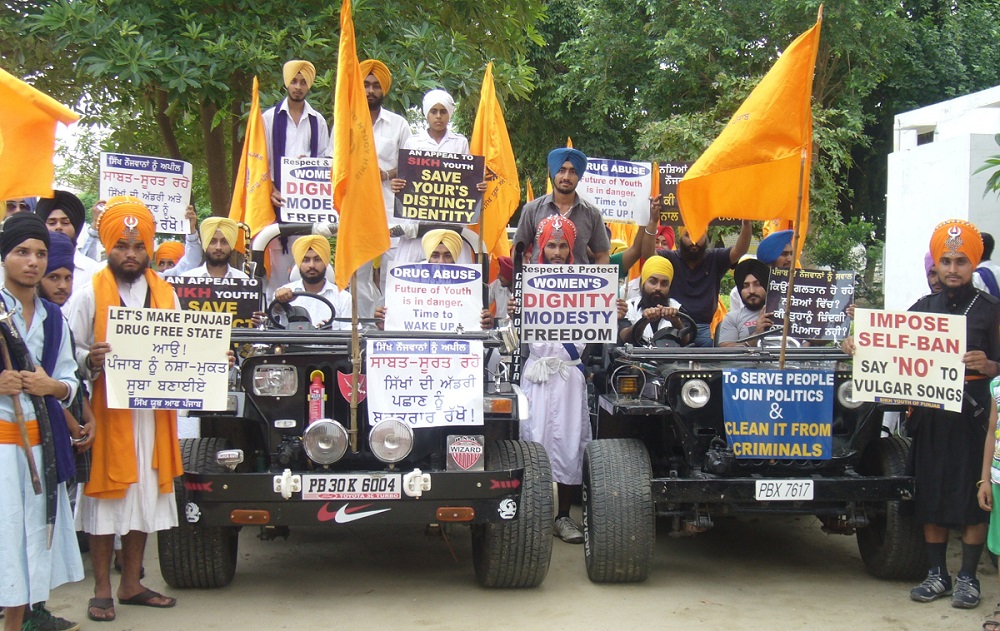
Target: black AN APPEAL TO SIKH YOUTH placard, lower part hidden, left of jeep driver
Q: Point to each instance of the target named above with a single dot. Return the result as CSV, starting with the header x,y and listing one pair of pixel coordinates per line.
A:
x,y
239,297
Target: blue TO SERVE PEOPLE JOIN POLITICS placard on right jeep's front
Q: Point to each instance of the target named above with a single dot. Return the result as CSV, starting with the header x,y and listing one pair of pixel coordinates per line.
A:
x,y
778,414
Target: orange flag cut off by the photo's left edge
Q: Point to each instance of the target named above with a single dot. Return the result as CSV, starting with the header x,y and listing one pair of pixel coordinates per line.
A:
x,y
28,131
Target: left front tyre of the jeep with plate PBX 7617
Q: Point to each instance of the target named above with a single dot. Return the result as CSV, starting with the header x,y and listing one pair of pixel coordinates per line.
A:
x,y
619,524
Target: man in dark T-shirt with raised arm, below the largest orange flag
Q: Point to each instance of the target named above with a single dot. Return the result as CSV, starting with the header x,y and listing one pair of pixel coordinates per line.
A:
x,y
698,273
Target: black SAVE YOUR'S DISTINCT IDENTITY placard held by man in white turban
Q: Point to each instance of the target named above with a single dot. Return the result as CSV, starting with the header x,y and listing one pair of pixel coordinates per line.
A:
x,y
440,187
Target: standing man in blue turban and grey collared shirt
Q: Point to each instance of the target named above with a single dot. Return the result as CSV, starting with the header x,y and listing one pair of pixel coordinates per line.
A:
x,y
566,167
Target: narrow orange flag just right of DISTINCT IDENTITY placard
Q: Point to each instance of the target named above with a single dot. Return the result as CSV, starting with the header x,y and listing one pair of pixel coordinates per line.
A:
x,y
503,191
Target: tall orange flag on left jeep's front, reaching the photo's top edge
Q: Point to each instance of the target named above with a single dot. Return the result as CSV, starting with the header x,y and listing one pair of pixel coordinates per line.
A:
x,y
357,181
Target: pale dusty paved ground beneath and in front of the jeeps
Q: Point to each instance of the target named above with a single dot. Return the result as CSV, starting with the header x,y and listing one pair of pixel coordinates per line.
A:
x,y
745,574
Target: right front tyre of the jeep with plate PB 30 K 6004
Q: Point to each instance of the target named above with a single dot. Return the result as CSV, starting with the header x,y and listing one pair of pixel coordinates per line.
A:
x,y
517,553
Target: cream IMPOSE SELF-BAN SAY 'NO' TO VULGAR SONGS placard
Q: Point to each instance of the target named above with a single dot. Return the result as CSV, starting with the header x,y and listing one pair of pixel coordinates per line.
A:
x,y
909,358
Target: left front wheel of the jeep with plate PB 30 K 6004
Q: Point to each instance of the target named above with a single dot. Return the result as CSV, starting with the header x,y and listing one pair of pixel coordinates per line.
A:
x,y
191,555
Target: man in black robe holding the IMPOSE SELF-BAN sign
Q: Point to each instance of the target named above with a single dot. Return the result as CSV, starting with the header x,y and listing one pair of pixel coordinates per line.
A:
x,y
946,451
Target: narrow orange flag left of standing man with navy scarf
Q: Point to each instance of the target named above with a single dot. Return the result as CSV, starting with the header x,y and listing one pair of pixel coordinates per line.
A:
x,y
252,190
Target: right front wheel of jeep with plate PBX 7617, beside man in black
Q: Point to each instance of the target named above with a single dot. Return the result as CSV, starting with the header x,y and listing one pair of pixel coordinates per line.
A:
x,y
892,545
